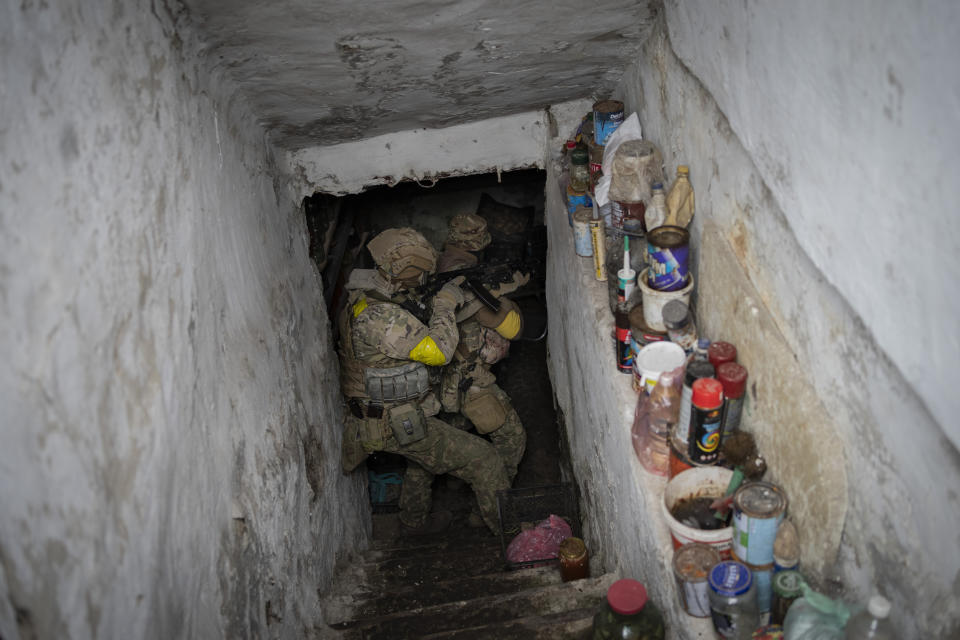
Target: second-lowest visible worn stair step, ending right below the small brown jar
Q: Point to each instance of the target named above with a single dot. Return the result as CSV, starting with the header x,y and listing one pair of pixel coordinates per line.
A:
x,y
466,614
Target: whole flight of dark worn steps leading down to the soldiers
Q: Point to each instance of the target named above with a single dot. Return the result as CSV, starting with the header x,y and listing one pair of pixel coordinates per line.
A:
x,y
455,585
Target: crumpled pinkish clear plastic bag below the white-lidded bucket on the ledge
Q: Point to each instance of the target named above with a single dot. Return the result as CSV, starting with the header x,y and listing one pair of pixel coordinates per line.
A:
x,y
654,417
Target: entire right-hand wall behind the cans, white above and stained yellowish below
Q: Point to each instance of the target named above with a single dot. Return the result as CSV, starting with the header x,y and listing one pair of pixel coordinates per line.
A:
x,y
811,131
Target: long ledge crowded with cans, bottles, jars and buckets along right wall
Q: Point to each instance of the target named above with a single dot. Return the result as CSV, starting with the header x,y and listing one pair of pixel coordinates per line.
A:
x,y
715,544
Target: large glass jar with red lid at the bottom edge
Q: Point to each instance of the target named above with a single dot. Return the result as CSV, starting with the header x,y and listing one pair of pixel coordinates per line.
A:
x,y
626,614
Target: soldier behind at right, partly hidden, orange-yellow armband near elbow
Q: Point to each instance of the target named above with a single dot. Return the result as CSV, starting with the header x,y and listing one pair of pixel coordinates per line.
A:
x,y
468,385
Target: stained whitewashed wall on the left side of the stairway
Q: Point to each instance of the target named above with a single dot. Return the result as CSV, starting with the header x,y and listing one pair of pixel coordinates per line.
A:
x,y
169,461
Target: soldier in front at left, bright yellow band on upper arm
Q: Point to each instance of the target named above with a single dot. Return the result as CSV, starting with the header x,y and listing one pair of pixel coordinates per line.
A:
x,y
387,357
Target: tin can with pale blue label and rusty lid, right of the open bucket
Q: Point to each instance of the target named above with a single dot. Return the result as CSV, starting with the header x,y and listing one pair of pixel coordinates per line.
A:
x,y
758,509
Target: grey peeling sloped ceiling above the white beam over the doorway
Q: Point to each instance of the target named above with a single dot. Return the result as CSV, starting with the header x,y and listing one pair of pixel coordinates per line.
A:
x,y
320,73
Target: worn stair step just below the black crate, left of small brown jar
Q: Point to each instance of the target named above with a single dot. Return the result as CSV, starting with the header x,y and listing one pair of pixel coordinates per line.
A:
x,y
361,604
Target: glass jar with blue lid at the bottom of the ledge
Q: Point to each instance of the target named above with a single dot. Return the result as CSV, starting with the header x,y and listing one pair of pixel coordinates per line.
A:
x,y
733,601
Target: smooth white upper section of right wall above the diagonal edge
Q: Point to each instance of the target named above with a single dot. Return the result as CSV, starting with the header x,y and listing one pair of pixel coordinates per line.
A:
x,y
851,113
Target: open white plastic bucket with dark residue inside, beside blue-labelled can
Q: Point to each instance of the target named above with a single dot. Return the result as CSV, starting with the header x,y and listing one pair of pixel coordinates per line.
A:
x,y
696,482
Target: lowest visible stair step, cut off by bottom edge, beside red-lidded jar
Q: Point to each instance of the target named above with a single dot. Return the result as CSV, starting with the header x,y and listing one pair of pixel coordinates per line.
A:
x,y
567,625
